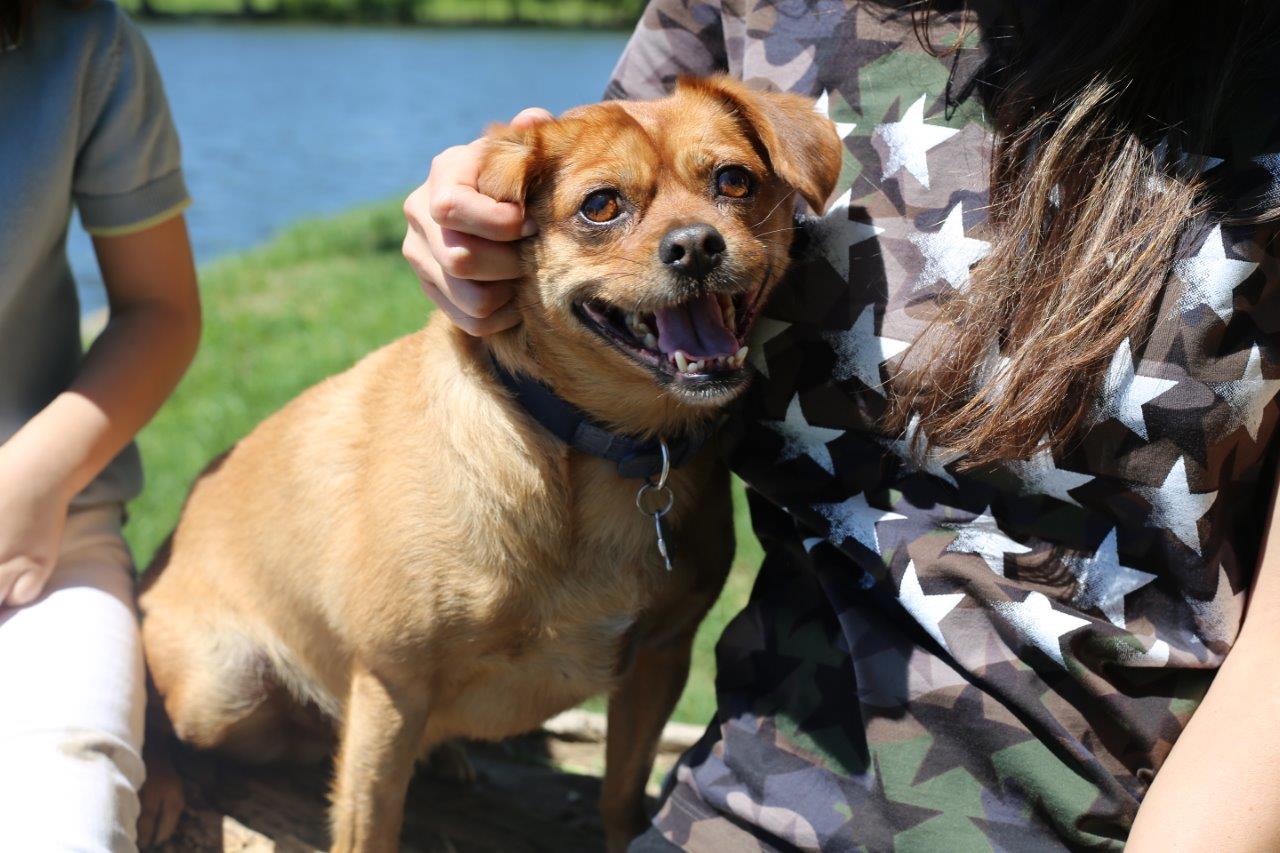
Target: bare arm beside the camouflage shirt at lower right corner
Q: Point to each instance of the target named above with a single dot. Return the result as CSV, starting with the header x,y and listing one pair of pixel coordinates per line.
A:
x,y
1220,787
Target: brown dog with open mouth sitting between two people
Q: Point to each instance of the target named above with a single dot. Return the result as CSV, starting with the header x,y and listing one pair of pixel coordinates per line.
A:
x,y
405,551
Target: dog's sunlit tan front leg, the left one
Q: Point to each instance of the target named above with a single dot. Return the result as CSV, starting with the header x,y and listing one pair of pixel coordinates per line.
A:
x,y
381,737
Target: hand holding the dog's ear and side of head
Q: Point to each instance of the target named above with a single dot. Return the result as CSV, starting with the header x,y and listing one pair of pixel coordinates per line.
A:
x,y
459,240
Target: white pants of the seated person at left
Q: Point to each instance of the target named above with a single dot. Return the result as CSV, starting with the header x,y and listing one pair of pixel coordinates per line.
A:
x,y
72,700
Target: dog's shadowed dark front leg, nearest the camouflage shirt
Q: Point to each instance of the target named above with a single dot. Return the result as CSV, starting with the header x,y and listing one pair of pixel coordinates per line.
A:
x,y
638,711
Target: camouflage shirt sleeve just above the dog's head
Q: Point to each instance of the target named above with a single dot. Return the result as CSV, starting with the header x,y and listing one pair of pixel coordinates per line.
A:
x,y
674,38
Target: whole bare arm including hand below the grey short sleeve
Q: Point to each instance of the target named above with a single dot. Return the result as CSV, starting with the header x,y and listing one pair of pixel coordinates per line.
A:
x,y
131,370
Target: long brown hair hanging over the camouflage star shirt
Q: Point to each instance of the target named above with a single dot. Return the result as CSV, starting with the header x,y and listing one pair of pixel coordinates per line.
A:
x,y
1101,113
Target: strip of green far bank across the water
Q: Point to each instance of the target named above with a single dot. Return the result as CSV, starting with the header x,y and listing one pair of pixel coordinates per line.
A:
x,y
469,13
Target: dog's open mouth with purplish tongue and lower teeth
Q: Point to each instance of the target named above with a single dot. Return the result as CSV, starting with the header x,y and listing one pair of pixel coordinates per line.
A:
x,y
700,339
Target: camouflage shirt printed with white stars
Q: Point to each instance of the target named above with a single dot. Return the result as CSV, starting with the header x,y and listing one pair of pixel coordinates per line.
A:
x,y
943,660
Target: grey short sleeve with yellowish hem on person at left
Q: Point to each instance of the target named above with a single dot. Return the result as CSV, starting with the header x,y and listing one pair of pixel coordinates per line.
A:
x,y
129,168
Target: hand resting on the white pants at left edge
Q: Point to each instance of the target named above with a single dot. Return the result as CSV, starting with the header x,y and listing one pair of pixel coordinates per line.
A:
x,y
33,516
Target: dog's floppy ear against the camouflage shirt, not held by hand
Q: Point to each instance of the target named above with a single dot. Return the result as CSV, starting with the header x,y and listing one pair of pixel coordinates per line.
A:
x,y
802,145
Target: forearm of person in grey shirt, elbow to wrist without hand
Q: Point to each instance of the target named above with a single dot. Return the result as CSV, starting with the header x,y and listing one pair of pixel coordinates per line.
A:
x,y
125,378
